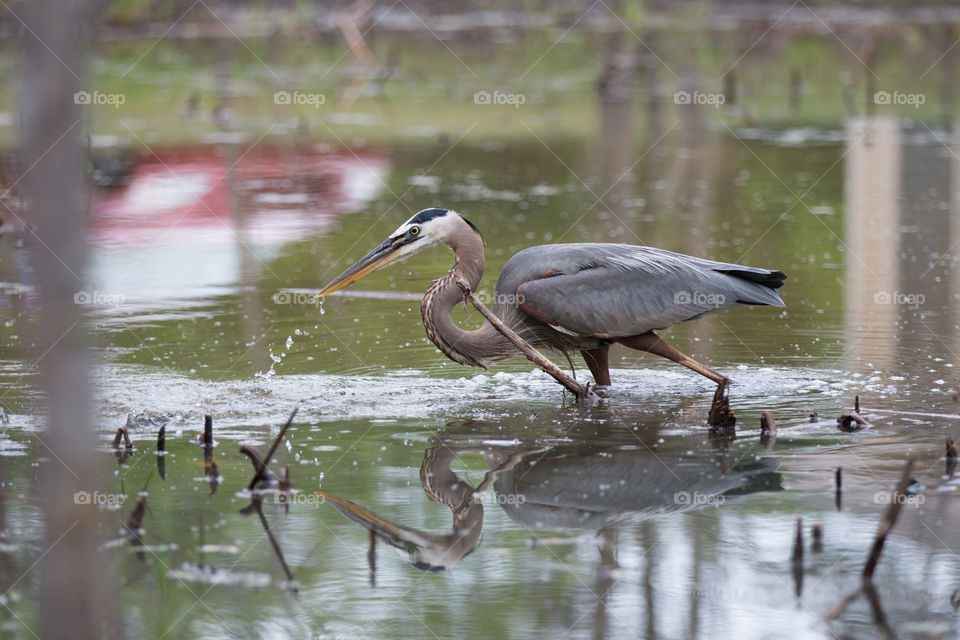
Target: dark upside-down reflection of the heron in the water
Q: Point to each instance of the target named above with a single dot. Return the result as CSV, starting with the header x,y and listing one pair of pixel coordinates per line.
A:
x,y
593,486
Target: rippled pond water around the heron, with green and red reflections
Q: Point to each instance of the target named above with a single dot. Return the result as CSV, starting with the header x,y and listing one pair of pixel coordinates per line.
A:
x,y
628,519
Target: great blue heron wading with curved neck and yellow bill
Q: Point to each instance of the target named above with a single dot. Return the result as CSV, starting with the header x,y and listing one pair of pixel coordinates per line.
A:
x,y
583,296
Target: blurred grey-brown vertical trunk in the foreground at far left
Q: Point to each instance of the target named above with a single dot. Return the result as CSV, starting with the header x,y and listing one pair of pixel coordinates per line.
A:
x,y
53,160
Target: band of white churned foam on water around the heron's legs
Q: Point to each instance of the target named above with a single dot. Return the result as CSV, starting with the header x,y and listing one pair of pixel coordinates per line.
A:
x,y
267,400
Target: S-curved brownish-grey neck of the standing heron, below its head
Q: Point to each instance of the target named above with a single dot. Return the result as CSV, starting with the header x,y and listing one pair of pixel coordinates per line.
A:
x,y
478,348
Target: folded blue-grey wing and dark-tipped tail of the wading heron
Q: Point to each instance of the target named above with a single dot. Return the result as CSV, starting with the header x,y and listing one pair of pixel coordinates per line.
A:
x,y
615,290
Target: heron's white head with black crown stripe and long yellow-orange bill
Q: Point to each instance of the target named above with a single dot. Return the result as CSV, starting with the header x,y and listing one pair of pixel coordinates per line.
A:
x,y
425,229
